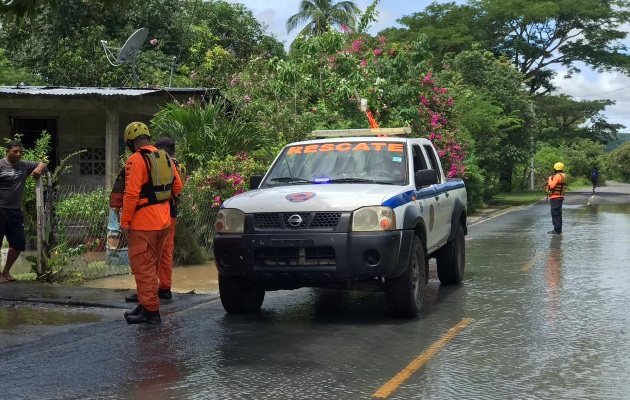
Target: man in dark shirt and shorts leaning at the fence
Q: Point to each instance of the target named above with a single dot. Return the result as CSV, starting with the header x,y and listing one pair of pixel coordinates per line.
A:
x,y
13,174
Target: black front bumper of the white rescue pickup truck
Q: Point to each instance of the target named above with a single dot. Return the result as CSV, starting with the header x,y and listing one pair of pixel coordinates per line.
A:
x,y
313,259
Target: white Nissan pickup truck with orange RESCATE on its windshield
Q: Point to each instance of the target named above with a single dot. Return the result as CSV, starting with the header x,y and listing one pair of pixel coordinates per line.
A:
x,y
358,209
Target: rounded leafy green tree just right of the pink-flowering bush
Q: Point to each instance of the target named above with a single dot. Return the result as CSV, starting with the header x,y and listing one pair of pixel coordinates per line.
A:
x,y
496,110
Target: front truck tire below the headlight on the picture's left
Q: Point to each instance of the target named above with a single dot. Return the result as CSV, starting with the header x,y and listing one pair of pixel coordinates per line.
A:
x,y
239,295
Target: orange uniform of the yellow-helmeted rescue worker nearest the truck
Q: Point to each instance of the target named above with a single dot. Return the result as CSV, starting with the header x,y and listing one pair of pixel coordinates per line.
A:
x,y
149,227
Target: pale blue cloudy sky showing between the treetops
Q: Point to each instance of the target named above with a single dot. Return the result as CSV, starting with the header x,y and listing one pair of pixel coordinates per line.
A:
x,y
588,85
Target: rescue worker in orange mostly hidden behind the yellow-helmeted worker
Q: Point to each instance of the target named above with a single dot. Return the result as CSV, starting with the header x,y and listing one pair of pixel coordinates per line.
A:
x,y
165,269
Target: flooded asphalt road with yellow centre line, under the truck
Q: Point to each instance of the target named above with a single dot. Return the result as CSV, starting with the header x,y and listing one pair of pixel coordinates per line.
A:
x,y
537,317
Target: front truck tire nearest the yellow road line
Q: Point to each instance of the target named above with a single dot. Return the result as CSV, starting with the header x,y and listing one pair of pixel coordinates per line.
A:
x,y
405,293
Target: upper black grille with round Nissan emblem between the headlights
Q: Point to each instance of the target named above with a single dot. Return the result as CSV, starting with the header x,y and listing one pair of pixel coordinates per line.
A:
x,y
326,220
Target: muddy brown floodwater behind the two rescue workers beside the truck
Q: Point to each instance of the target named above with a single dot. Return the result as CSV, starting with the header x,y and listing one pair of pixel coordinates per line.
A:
x,y
200,278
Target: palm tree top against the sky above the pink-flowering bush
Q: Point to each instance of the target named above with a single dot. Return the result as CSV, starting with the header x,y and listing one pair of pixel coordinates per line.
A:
x,y
319,15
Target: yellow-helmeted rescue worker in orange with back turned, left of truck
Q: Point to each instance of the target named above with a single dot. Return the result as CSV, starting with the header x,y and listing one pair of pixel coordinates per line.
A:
x,y
150,181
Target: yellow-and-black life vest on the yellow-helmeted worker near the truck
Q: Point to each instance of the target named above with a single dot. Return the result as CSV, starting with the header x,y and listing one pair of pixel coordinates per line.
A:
x,y
158,187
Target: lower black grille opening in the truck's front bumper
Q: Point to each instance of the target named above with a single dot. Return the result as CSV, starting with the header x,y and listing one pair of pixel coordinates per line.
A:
x,y
295,256
